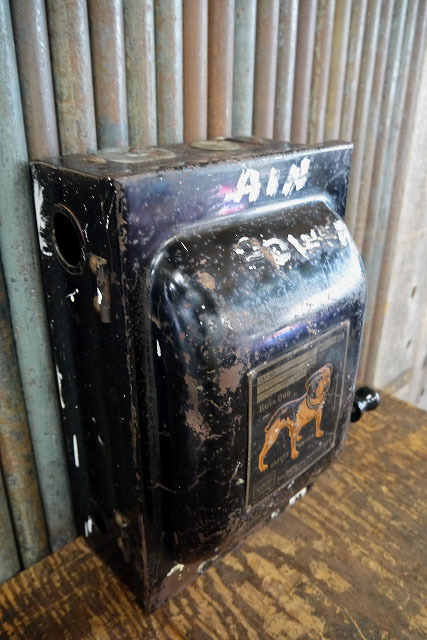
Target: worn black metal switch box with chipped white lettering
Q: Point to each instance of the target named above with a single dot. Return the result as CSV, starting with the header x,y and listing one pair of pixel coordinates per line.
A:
x,y
206,308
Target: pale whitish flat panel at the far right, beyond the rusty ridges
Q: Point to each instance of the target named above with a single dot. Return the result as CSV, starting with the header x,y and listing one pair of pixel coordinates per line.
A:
x,y
401,297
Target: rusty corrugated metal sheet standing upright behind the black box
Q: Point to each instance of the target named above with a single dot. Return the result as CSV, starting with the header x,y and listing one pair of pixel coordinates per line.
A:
x,y
110,73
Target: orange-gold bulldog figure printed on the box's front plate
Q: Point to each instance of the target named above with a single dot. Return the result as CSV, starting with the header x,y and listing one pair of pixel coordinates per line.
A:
x,y
294,415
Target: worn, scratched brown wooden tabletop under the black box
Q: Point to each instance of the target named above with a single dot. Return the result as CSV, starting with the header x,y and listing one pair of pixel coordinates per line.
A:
x,y
347,561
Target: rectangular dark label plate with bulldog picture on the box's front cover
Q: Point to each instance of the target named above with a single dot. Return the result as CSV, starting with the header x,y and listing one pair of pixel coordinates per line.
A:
x,y
294,404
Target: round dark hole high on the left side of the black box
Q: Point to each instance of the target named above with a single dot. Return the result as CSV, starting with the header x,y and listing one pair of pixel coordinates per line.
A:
x,y
68,240
